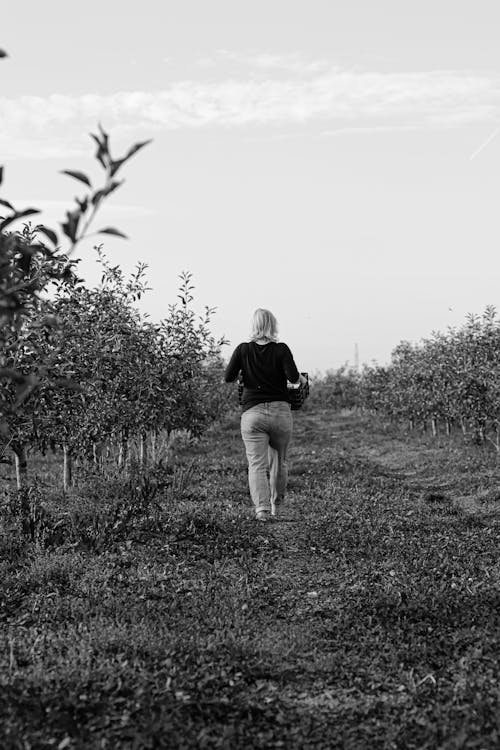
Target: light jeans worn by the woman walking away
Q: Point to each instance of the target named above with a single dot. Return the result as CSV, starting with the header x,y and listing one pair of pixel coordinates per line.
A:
x,y
266,430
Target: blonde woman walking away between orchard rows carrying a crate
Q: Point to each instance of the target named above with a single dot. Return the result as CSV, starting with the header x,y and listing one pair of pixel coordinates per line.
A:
x,y
266,420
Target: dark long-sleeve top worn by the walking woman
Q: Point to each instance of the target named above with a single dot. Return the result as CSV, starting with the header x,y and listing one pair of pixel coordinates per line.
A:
x,y
265,369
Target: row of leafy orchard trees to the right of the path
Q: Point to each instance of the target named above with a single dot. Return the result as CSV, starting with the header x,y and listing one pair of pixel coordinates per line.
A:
x,y
450,379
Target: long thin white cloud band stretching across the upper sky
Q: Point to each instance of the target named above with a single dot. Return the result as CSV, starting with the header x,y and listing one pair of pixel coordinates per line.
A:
x,y
332,98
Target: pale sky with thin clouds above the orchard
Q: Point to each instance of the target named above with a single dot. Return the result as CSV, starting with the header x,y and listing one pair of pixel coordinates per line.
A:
x,y
335,162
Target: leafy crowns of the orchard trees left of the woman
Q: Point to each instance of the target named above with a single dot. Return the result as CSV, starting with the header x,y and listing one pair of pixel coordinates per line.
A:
x,y
109,374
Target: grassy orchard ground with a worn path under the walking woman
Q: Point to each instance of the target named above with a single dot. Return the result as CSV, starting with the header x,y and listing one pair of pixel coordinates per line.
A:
x,y
370,620
